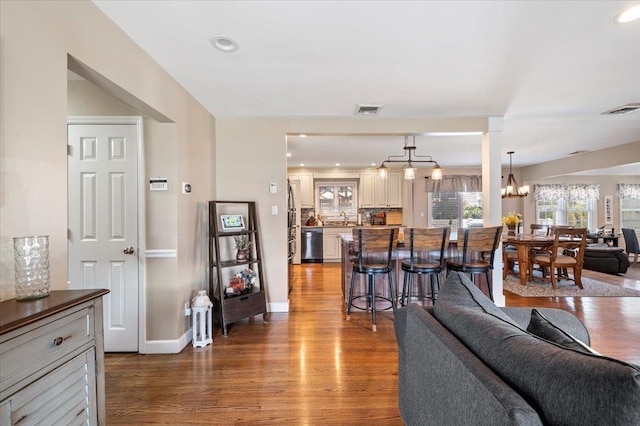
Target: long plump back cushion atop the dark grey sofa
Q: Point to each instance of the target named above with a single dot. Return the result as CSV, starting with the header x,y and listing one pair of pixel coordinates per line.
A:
x,y
565,386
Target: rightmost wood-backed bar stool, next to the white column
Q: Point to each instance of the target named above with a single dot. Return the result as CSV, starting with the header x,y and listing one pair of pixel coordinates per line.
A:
x,y
476,252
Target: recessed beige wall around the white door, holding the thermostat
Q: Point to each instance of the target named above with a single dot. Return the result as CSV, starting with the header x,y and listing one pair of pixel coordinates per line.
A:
x,y
160,152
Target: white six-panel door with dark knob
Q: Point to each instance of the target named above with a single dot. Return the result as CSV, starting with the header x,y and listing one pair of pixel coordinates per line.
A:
x,y
103,227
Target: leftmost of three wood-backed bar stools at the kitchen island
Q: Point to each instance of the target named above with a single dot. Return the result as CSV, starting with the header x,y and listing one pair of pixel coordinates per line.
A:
x,y
375,253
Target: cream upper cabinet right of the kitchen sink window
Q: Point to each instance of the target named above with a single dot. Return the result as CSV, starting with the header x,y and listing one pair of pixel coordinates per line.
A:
x,y
377,192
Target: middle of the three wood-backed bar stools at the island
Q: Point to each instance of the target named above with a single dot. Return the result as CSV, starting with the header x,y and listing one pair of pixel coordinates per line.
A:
x,y
426,257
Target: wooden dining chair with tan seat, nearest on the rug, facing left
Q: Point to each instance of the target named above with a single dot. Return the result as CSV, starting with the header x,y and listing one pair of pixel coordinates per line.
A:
x,y
567,252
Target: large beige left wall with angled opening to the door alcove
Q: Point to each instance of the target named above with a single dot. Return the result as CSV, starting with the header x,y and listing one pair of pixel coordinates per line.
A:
x,y
37,37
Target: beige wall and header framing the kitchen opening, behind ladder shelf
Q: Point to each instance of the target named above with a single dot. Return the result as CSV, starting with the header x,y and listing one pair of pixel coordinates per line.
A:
x,y
251,153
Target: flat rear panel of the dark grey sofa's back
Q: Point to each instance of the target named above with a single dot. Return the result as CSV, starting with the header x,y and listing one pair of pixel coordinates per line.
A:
x,y
440,382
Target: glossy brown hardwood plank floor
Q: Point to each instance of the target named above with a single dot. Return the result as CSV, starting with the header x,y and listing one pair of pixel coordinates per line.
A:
x,y
310,366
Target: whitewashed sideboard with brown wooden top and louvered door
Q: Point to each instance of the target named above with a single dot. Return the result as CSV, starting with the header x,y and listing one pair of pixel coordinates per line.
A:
x,y
53,359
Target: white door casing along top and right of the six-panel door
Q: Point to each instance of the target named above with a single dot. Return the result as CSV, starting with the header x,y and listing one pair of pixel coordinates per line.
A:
x,y
142,272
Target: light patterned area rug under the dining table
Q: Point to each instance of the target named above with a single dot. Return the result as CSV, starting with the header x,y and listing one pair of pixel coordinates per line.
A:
x,y
592,288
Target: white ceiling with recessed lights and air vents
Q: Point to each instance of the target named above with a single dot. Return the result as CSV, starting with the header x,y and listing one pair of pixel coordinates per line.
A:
x,y
549,67
